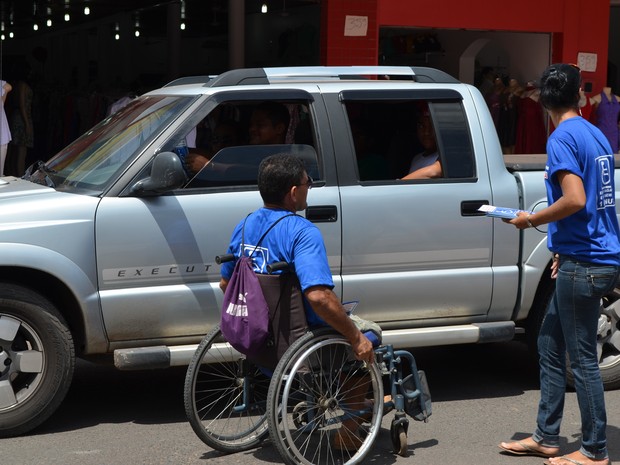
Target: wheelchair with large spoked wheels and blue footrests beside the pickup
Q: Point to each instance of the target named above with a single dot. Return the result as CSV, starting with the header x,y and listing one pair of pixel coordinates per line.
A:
x,y
318,406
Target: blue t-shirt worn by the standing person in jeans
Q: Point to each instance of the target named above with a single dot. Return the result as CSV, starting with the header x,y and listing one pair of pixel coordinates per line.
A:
x,y
591,234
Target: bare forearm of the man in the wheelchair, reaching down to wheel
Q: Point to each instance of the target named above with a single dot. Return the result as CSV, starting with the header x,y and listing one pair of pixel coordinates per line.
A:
x,y
327,306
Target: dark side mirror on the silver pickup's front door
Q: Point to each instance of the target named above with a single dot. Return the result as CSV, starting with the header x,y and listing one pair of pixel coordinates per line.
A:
x,y
167,173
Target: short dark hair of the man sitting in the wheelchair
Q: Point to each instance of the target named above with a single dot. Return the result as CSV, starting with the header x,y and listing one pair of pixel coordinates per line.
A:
x,y
277,174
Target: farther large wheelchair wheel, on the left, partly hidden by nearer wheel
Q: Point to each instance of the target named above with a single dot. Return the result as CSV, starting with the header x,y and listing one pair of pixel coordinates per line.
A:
x,y
225,396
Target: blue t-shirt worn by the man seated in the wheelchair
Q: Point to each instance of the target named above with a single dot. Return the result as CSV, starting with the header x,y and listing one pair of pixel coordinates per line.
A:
x,y
294,240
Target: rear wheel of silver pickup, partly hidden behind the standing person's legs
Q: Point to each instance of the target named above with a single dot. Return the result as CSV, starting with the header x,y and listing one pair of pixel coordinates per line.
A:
x,y
608,334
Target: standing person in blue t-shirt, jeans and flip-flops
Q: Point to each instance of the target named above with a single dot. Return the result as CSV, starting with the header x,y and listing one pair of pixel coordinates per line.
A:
x,y
583,237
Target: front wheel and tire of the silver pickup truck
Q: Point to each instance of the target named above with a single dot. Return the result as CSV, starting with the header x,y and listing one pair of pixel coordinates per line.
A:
x,y
37,359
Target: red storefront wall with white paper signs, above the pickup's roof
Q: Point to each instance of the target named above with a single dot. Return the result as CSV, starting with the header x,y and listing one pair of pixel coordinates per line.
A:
x,y
576,25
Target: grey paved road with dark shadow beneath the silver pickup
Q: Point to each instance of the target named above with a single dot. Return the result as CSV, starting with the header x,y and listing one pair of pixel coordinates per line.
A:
x,y
481,396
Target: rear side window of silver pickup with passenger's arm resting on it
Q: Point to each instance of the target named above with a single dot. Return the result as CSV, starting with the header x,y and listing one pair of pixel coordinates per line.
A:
x,y
408,140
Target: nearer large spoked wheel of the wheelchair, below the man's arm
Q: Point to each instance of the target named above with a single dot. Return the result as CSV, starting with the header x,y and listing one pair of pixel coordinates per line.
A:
x,y
324,407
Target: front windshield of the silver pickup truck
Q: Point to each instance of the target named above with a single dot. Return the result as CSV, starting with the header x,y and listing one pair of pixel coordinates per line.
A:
x,y
93,161
